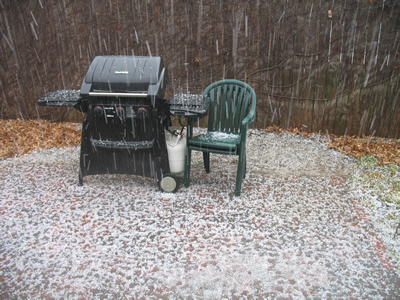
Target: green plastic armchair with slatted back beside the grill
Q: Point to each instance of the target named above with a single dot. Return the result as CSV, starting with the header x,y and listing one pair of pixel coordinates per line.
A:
x,y
232,110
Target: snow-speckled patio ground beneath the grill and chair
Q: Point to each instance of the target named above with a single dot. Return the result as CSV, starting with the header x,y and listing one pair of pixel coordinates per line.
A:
x,y
297,231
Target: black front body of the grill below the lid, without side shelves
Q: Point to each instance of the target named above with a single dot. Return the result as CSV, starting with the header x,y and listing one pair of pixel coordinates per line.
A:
x,y
134,144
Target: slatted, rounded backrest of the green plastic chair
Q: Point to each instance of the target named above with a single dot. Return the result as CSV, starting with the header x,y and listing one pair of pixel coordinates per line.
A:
x,y
231,103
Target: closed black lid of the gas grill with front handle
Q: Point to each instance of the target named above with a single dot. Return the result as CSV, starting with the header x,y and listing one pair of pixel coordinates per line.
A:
x,y
130,76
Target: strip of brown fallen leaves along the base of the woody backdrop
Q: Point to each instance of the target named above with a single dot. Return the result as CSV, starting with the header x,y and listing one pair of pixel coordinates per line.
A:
x,y
19,137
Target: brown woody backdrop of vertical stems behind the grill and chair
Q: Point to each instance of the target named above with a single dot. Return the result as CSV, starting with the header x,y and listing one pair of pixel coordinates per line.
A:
x,y
318,65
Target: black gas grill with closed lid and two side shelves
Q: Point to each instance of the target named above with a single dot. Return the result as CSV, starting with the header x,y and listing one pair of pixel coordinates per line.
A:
x,y
126,117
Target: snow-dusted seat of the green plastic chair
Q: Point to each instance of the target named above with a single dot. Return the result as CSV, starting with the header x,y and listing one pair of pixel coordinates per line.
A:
x,y
216,140
